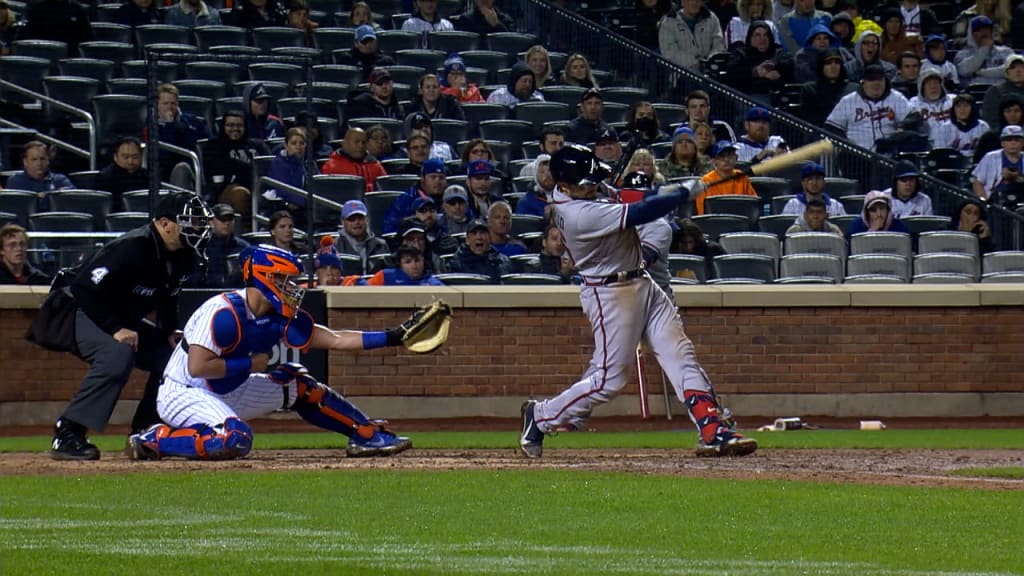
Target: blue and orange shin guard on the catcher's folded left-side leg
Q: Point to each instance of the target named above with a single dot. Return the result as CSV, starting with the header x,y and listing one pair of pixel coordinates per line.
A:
x,y
233,439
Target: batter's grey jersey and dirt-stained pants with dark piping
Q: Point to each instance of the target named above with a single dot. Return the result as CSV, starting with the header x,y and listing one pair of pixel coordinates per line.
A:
x,y
621,314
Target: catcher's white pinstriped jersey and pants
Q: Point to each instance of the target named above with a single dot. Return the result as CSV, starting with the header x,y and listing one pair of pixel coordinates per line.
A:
x,y
185,400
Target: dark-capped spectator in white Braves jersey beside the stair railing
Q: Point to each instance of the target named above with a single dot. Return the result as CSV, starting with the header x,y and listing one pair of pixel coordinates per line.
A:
x,y
871,113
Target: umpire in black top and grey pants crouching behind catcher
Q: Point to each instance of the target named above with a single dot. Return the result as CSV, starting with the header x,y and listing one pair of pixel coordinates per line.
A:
x,y
127,306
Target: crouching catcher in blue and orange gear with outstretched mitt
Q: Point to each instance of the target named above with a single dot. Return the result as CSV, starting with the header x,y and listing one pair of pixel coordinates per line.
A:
x,y
218,379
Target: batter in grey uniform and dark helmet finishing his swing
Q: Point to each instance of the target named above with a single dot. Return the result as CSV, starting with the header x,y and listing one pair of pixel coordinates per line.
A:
x,y
625,308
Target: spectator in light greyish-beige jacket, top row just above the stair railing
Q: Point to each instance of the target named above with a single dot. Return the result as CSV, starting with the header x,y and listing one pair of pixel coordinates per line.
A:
x,y
691,35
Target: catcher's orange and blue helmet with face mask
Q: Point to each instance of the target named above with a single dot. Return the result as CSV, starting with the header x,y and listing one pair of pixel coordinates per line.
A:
x,y
274,271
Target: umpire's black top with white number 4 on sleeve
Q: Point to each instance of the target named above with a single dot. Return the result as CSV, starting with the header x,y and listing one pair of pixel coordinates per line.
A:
x,y
132,277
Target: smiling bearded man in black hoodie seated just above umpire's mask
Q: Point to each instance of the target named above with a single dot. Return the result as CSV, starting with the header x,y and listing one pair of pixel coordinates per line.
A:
x,y
228,163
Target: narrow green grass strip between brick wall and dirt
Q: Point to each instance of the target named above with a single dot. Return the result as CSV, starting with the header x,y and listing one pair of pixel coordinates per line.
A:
x,y
685,438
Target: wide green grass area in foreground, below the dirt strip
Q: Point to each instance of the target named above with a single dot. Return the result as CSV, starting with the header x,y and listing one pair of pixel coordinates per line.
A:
x,y
527,522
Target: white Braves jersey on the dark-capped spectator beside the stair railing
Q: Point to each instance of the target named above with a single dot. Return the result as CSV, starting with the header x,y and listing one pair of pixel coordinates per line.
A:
x,y
866,121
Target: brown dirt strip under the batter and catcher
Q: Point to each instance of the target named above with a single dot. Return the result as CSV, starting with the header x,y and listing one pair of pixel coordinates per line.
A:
x,y
894,468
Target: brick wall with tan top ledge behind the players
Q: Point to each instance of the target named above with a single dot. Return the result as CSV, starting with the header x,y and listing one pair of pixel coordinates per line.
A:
x,y
836,351
